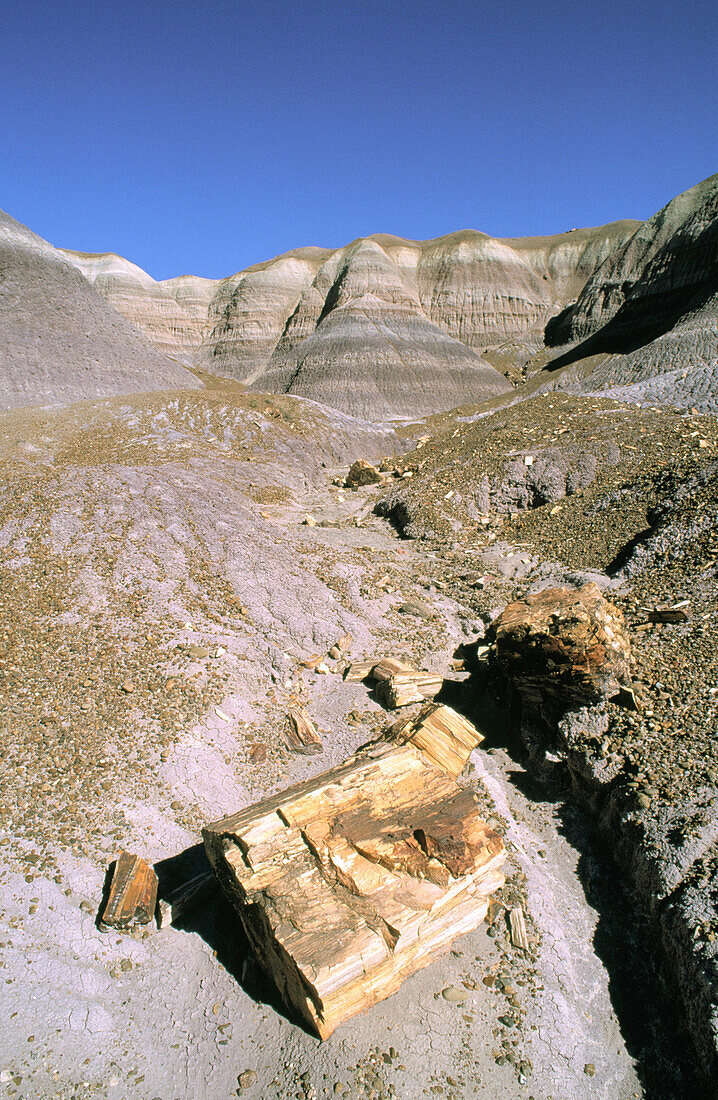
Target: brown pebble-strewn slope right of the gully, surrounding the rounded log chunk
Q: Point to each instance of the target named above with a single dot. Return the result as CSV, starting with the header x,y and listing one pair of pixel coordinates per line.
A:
x,y
644,527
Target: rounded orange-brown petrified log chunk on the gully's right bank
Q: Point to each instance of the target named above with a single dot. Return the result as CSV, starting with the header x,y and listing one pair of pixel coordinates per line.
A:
x,y
567,646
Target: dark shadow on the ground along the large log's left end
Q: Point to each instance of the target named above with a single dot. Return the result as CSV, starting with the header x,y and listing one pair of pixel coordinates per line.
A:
x,y
219,926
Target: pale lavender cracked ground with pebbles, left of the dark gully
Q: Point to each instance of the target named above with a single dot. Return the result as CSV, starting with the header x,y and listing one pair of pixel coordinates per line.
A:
x,y
164,602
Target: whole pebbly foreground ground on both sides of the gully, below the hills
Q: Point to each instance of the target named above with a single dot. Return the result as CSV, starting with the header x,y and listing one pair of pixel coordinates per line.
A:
x,y
176,569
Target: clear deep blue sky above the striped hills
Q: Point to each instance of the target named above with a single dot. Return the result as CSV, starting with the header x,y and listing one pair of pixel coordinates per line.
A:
x,y
204,136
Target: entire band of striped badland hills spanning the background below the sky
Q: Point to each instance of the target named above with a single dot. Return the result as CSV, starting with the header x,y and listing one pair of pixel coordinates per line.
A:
x,y
384,327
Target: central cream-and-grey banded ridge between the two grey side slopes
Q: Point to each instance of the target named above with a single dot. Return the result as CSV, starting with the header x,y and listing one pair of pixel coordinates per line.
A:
x,y
410,320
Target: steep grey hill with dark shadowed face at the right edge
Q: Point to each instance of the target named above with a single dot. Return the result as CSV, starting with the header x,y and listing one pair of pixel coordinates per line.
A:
x,y
646,325
